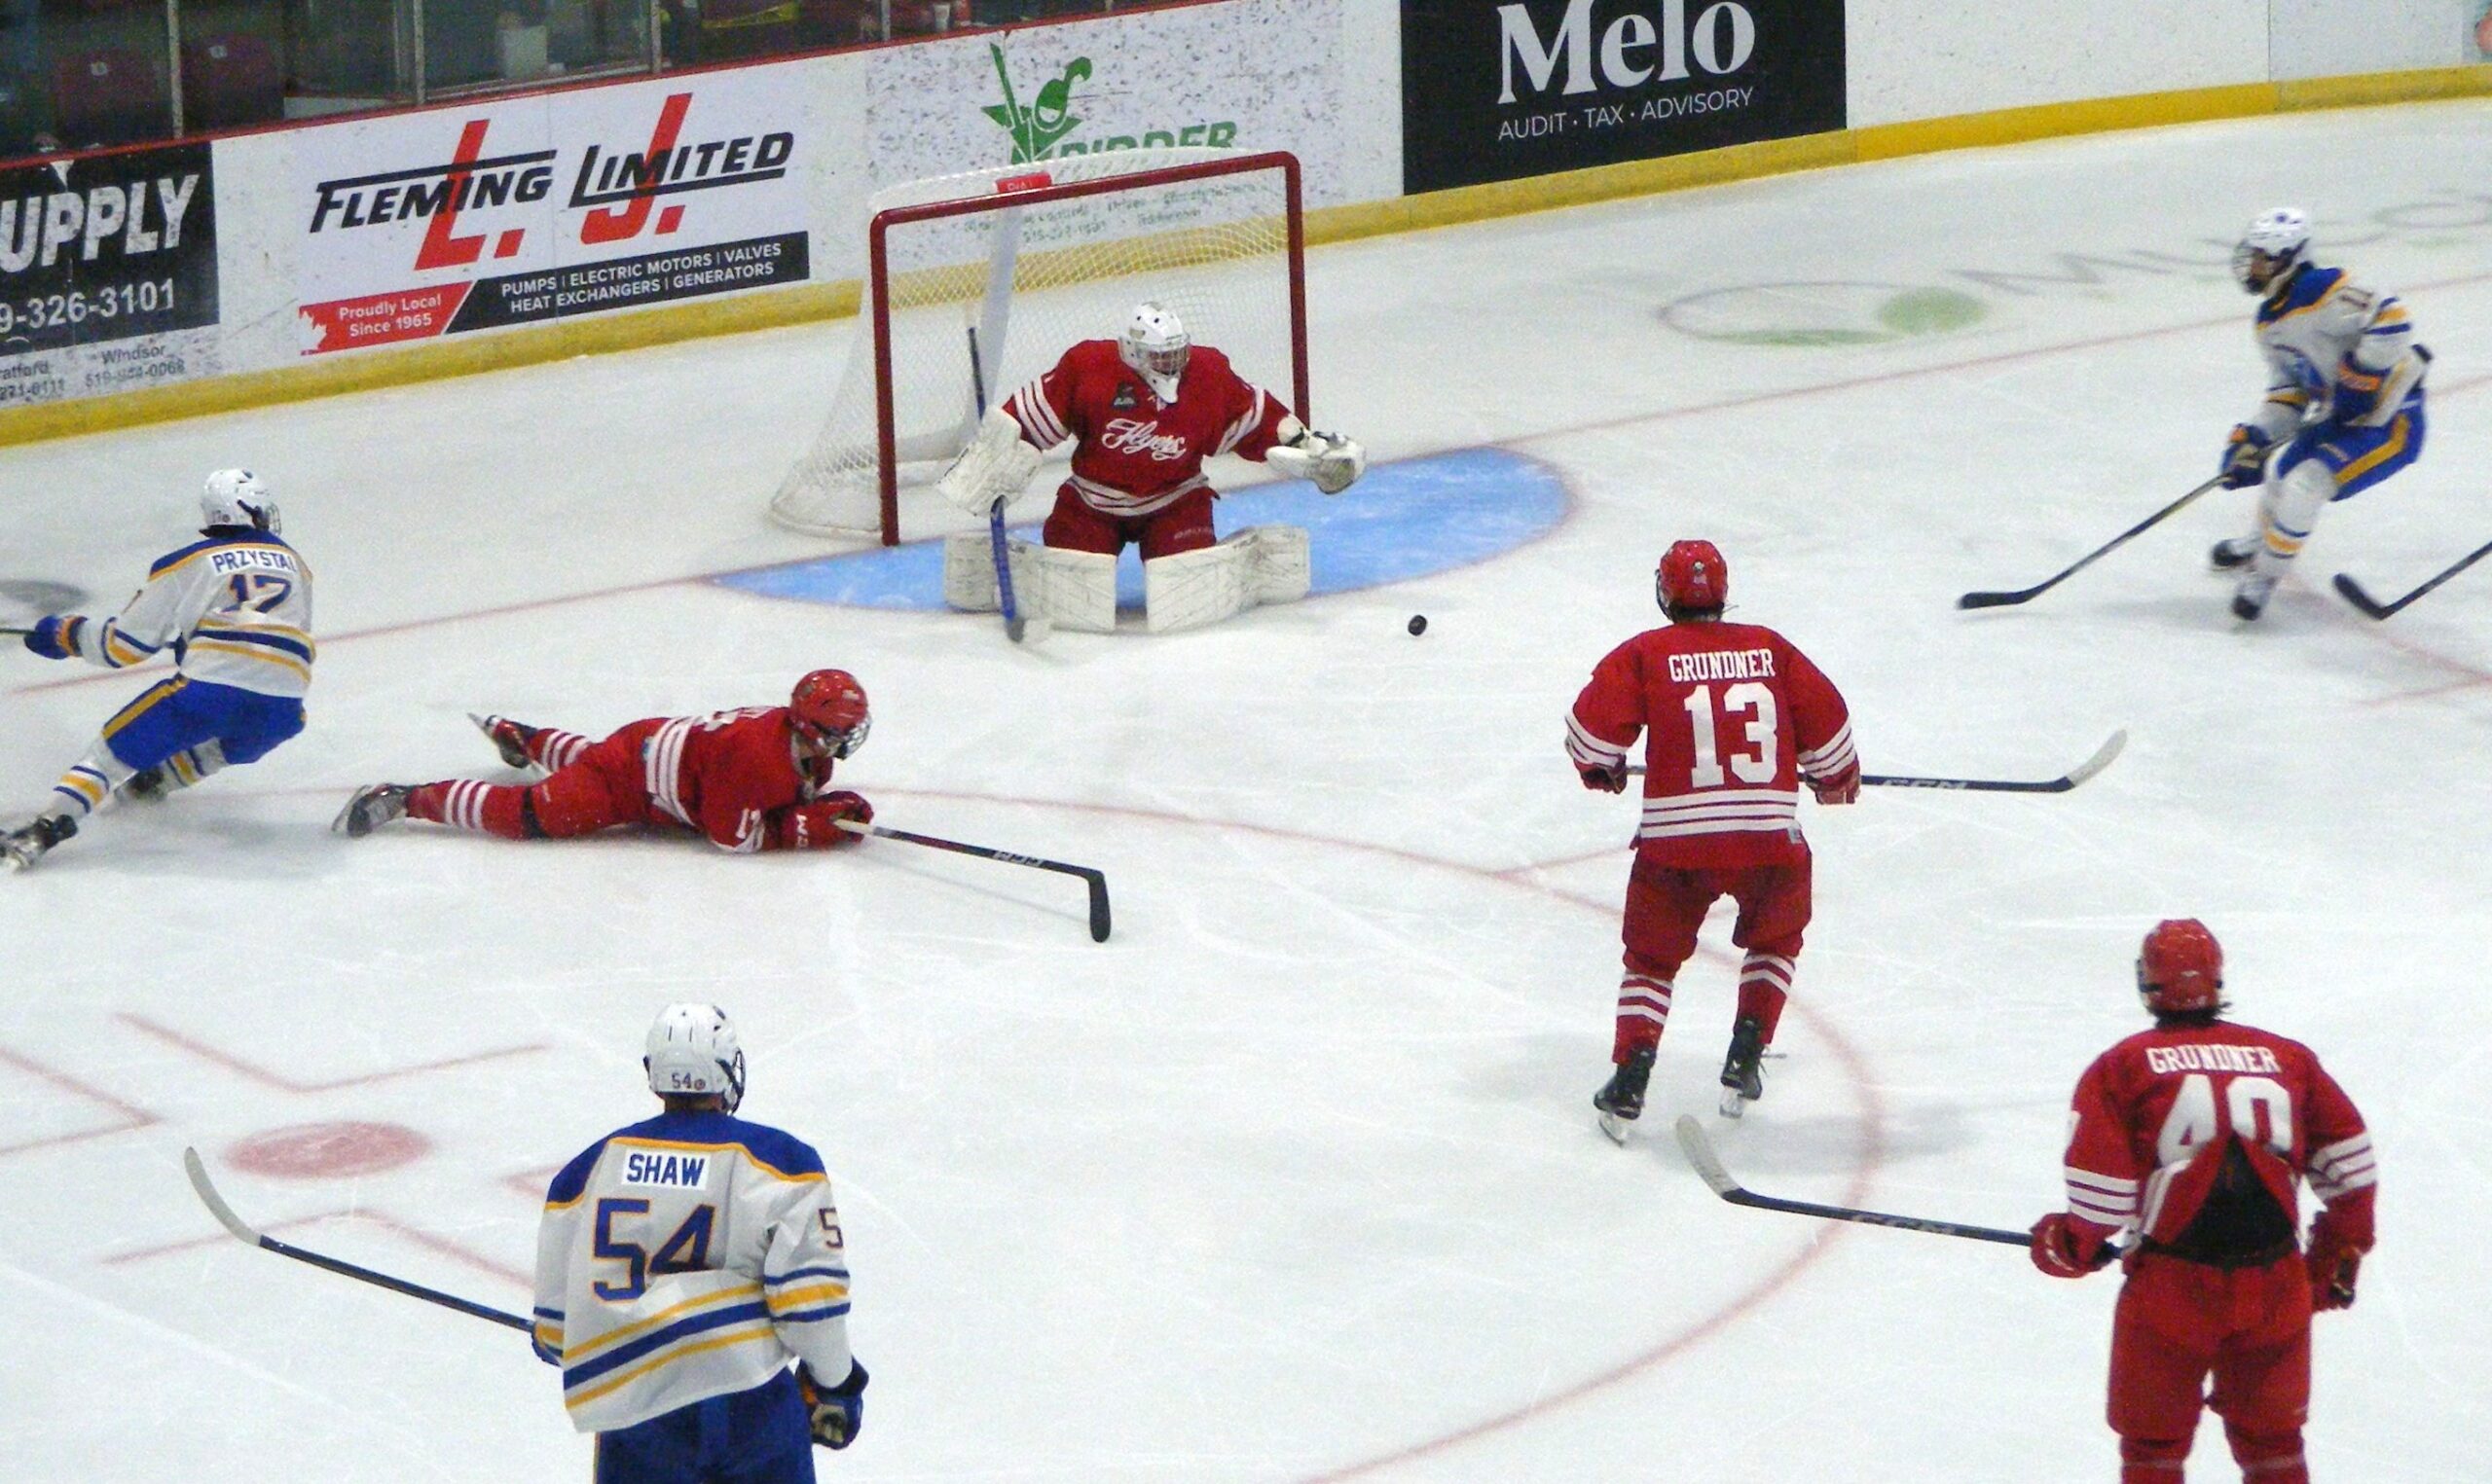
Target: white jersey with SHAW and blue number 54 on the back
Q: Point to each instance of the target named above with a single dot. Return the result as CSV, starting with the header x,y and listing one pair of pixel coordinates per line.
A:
x,y
687,1259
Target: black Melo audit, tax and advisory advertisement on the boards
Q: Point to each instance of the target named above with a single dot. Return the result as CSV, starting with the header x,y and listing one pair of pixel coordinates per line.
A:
x,y
1546,86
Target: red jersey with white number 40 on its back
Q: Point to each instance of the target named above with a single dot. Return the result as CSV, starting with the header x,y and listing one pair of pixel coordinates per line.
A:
x,y
2202,1134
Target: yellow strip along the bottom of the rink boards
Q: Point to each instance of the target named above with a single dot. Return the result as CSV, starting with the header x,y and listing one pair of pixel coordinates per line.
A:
x,y
814,303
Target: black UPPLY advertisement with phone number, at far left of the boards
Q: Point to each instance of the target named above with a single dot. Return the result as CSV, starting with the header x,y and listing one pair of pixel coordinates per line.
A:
x,y
103,263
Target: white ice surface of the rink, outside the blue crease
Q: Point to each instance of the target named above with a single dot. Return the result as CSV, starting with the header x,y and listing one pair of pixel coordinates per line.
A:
x,y
1297,1176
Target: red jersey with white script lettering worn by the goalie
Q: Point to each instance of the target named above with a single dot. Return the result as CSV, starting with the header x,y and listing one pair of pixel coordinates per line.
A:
x,y
1133,452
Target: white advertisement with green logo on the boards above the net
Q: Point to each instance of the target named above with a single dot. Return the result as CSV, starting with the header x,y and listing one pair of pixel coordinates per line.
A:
x,y
1255,76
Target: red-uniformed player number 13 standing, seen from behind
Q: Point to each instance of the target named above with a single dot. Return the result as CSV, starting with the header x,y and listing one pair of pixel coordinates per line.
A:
x,y
1736,718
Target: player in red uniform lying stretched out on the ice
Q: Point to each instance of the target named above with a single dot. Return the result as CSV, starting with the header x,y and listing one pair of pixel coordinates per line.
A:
x,y
746,781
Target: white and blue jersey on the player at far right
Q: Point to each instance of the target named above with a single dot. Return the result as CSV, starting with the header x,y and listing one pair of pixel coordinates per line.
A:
x,y
2336,352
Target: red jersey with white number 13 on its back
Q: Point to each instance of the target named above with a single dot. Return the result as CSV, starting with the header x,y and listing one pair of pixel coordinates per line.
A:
x,y
1738,718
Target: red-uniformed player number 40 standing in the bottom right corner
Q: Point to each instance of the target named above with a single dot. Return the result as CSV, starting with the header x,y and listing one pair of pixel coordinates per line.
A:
x,y
2199,1137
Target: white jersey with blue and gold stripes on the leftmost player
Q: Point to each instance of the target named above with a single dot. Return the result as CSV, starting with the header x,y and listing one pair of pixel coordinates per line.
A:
x,y
231,609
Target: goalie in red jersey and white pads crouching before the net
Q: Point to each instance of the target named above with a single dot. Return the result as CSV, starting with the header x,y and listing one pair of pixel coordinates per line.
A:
x,y
1143,412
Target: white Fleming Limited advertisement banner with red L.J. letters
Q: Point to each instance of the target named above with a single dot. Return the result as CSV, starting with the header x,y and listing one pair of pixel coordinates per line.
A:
x,y
545,208
